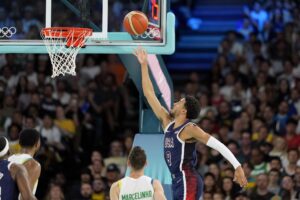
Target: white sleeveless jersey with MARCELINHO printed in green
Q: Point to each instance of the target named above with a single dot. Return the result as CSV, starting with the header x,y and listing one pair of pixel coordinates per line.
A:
x,y
140,188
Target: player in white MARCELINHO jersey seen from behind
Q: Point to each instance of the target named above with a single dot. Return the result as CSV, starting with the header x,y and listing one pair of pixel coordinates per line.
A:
x,y
137,185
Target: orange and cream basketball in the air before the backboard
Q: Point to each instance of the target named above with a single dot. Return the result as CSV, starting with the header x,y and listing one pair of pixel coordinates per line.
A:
x,y
135,23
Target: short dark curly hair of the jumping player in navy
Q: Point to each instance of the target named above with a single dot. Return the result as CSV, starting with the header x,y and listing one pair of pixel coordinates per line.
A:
x,y
192,107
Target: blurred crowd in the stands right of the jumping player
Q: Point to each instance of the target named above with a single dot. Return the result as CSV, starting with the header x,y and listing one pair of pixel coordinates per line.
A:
x,y
252,104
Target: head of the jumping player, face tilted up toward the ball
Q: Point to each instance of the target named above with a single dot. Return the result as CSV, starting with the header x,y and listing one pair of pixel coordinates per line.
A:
x,y
188,107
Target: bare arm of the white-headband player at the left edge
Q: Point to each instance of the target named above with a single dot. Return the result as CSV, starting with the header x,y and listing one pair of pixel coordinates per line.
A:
x,y
20,175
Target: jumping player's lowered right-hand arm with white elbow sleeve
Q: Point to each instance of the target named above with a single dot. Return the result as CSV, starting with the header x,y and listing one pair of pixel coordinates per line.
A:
x,y
200,135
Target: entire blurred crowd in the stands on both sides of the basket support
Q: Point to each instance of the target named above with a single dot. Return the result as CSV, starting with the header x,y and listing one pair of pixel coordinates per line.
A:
x,y
87,122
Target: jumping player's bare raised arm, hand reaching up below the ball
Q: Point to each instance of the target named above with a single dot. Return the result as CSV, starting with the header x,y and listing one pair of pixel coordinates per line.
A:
x,y
161,113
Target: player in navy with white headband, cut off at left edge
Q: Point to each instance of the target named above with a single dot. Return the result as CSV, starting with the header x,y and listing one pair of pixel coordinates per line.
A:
x,y
13,177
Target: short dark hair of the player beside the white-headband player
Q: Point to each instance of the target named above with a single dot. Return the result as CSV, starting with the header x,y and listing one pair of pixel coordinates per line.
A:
x,y
29,137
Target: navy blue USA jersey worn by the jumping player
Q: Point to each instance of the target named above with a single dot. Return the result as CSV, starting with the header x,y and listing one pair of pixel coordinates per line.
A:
x,y
178,153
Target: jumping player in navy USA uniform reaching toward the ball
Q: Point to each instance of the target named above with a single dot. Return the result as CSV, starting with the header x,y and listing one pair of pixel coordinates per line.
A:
x,y
180,139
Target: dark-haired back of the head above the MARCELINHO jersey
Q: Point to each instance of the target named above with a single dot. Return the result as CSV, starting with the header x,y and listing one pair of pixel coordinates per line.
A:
x,y
137,158
